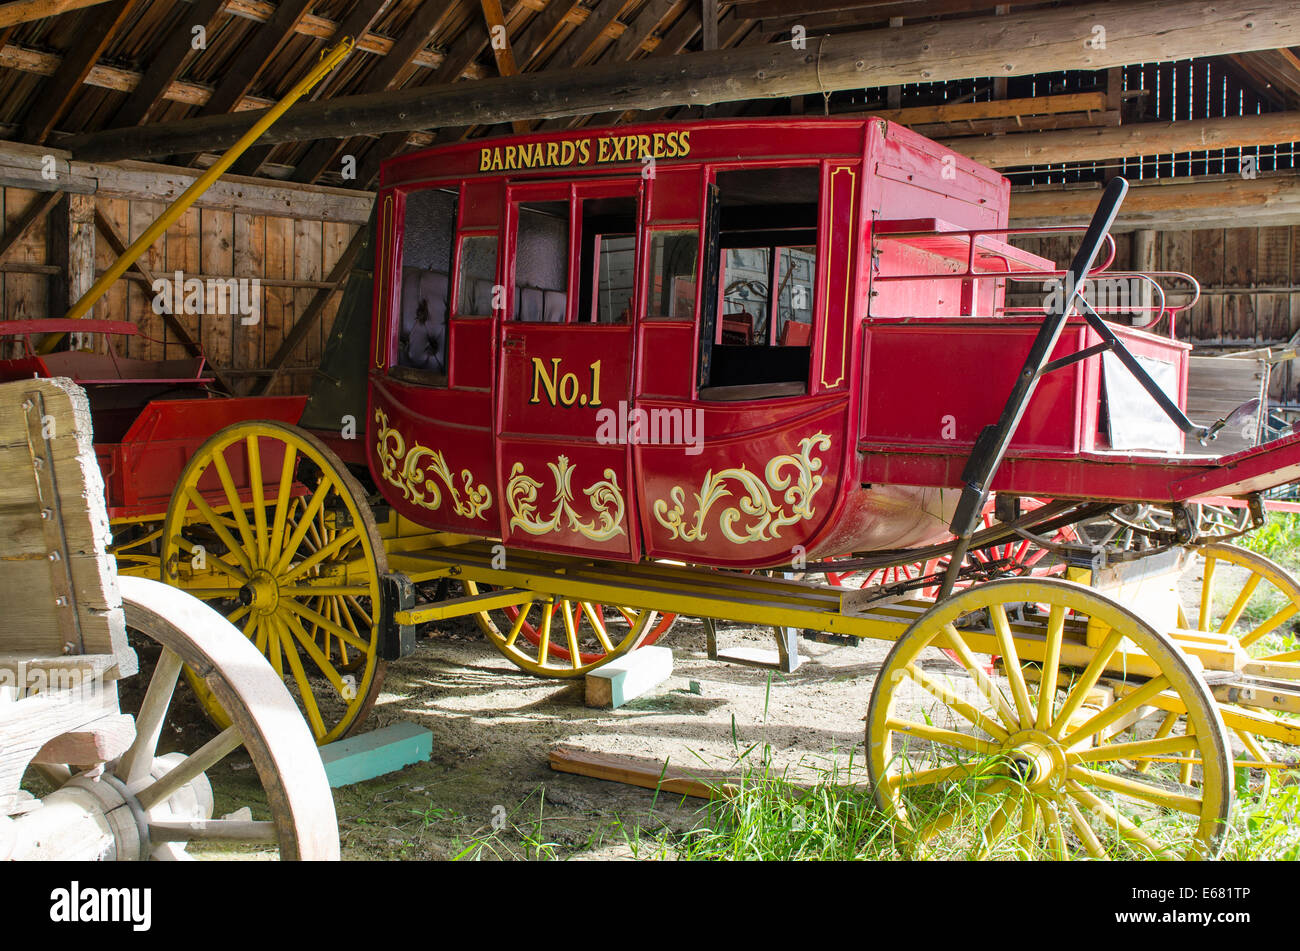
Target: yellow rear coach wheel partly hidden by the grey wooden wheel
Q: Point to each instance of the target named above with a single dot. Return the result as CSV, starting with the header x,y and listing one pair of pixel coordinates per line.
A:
x,y
268,527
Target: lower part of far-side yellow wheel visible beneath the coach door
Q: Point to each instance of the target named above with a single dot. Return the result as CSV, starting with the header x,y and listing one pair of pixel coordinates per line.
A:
x,y
590,635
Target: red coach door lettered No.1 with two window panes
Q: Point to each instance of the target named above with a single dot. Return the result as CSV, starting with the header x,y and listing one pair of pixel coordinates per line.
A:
x,y
566,368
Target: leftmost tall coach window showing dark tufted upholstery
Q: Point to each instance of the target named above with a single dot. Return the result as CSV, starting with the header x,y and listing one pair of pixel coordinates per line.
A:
x,y
428,241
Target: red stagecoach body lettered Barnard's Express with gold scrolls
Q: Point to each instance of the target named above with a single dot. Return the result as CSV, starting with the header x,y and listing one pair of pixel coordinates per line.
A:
x,y
684,342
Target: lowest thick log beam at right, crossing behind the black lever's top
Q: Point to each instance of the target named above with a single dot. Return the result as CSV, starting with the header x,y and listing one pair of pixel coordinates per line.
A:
x,y
1214,202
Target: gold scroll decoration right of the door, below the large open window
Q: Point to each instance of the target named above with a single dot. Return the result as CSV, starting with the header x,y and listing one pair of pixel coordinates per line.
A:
x,y
757,516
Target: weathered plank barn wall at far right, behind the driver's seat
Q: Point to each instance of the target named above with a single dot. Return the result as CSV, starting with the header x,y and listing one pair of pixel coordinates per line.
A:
x,y
1250,289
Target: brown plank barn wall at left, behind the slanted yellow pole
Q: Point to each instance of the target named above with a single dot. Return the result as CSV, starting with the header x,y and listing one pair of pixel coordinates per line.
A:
x,y
287,255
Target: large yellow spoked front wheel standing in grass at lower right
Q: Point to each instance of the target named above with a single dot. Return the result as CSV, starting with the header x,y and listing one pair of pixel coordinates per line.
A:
x,y
972,765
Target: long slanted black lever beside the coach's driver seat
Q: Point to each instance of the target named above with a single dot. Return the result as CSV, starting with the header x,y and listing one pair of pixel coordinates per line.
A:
x,y
993,442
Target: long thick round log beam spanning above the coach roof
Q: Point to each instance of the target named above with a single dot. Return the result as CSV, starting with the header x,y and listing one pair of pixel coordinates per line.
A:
x,y
1139,32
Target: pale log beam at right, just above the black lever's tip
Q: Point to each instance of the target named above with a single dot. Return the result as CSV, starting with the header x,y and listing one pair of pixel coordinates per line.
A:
x,y
1132,141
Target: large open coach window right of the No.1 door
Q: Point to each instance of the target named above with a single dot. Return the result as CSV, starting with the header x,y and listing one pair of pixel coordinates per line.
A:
x,y
760,327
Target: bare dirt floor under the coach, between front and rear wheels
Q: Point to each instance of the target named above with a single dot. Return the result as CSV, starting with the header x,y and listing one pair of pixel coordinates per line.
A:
x,y
493,728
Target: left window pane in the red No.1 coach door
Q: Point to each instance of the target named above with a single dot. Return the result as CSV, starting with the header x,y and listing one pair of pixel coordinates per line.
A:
x,y
541,262
